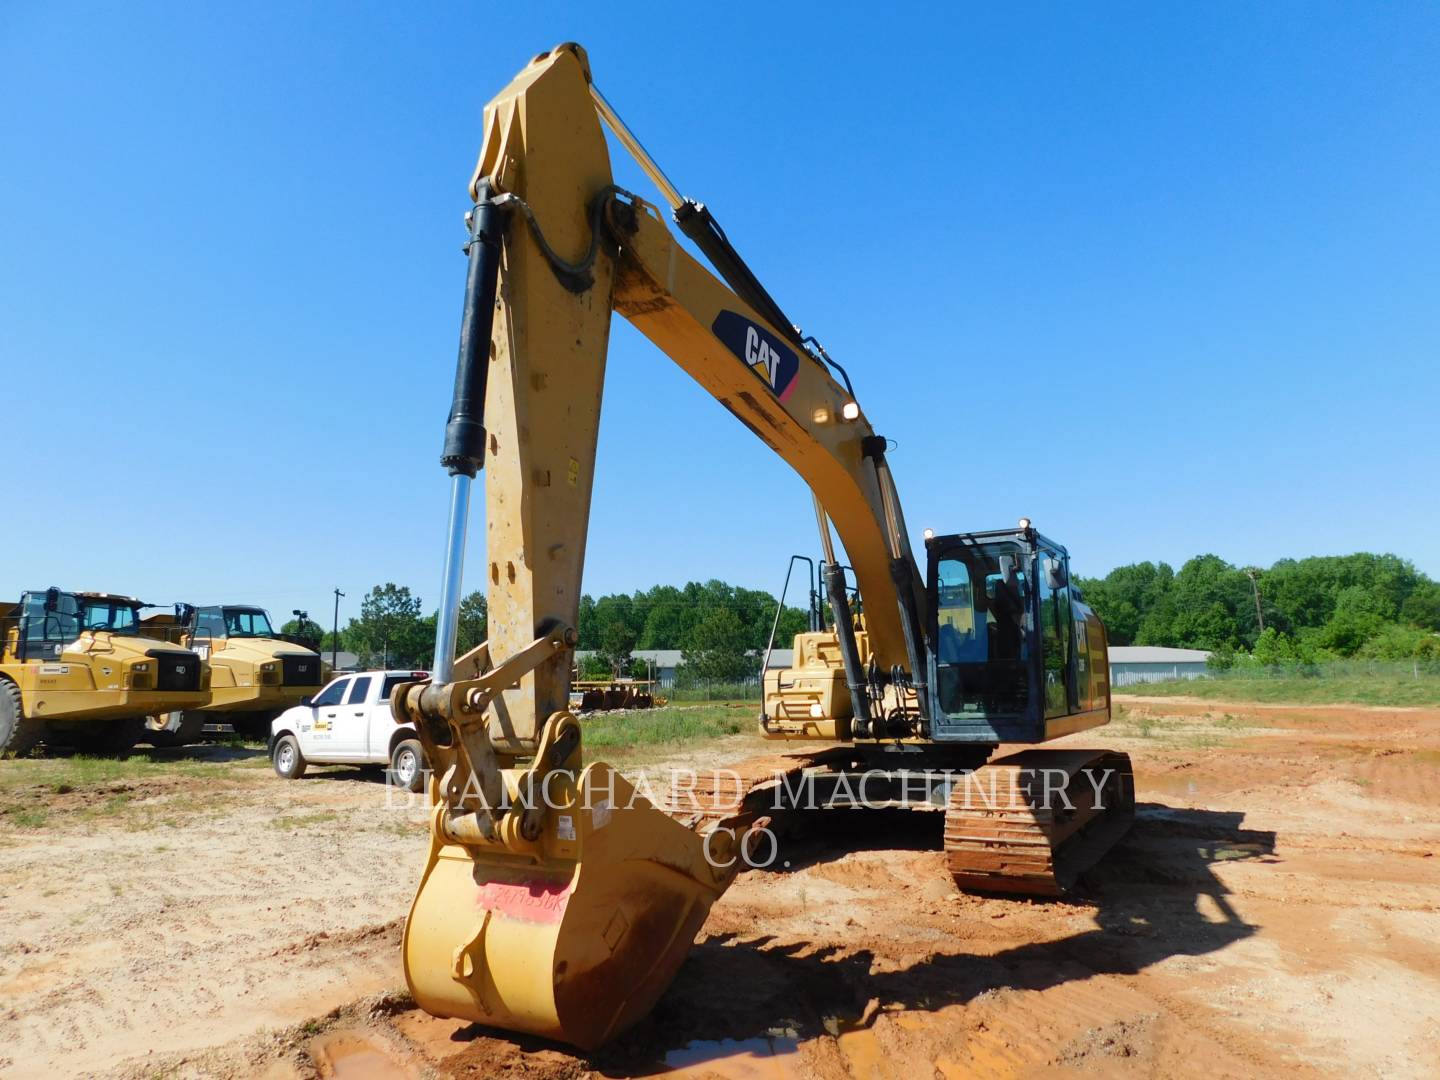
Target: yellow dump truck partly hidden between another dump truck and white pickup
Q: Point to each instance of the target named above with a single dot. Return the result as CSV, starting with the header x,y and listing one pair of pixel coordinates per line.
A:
x,y
256,672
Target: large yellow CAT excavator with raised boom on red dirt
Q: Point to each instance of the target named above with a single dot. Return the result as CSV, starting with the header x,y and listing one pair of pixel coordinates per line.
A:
x,y
557,898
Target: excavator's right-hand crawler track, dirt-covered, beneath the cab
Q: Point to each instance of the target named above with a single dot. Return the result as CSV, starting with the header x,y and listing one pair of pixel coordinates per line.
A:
x,y
1035,822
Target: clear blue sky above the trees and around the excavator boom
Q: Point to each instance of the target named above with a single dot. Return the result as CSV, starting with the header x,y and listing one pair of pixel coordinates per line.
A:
x,y
1161,277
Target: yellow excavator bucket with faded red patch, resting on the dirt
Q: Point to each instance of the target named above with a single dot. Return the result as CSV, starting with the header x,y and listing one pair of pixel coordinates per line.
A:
x,y
575,938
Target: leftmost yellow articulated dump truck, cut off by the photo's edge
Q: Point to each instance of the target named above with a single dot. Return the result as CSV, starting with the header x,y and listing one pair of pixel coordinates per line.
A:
x,y
77,669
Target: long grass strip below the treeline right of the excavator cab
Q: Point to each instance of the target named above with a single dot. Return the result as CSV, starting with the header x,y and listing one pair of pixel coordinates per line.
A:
x,y
1314,688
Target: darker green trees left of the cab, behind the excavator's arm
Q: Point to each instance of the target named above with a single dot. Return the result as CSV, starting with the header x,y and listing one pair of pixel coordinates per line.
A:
x,y
719,629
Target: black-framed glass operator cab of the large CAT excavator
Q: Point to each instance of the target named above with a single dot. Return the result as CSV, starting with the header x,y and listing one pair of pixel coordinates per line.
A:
x,y
1017,654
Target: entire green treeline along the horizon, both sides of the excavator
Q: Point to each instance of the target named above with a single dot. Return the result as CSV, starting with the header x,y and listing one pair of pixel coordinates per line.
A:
x,y
1297,611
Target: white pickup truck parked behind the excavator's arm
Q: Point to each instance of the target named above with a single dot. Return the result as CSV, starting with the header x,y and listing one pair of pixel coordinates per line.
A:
x,y
349,724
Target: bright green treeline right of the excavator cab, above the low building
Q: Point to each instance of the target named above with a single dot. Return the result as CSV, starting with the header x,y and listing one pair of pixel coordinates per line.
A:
x,y
1297,611
